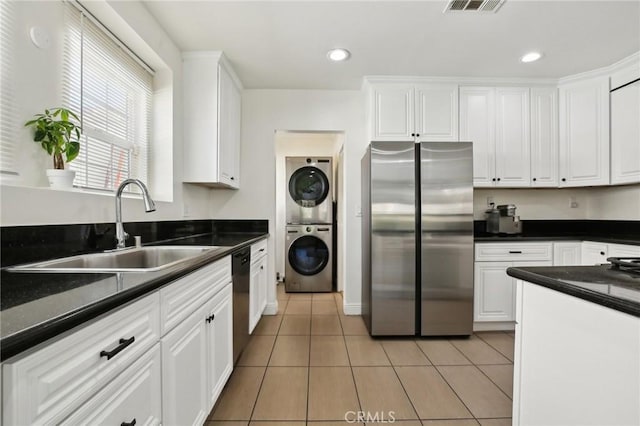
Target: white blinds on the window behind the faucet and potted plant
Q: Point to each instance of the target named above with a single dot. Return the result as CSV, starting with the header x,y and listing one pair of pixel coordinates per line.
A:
x,y
112,93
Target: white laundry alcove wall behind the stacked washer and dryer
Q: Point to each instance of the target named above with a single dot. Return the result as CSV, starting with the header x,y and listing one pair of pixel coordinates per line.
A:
x,y
294,144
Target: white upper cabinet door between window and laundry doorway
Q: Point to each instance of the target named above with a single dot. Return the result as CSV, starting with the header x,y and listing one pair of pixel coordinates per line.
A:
x,y
228,130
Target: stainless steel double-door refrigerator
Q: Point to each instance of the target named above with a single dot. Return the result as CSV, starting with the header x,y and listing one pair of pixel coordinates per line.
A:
x,y
417,238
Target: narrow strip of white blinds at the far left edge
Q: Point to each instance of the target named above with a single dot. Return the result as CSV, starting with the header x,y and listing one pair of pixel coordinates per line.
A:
x,y
8,111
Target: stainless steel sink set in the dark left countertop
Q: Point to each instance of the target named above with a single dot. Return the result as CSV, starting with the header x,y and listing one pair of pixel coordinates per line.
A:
x,y
142,259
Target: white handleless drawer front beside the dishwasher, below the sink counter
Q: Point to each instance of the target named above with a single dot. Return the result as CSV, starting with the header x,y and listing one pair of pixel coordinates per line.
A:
x,y
182,297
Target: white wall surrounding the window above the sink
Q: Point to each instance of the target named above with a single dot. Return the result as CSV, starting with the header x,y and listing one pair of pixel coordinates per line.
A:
x,y
27,199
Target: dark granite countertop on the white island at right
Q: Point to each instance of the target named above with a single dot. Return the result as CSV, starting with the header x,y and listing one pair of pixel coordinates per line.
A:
x,y
600,284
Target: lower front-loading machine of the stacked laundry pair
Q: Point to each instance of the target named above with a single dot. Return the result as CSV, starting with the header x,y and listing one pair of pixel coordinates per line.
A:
x,y
309,263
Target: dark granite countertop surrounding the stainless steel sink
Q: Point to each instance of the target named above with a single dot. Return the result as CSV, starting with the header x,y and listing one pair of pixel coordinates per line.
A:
x,y
38,306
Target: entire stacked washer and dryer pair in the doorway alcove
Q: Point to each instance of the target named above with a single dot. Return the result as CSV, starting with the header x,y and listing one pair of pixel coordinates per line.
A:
x,y
309,212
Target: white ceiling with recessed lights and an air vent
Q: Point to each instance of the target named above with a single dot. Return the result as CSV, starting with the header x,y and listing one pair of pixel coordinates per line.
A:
x,y
277,44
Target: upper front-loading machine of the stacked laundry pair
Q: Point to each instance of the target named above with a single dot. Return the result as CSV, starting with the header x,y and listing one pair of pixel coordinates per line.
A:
x,y
309,190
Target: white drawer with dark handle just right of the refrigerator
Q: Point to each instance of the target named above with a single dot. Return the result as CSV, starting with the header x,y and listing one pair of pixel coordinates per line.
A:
x,y
488,252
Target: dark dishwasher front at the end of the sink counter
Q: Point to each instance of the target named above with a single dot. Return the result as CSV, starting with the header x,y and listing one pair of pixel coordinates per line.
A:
x,y
241,269
